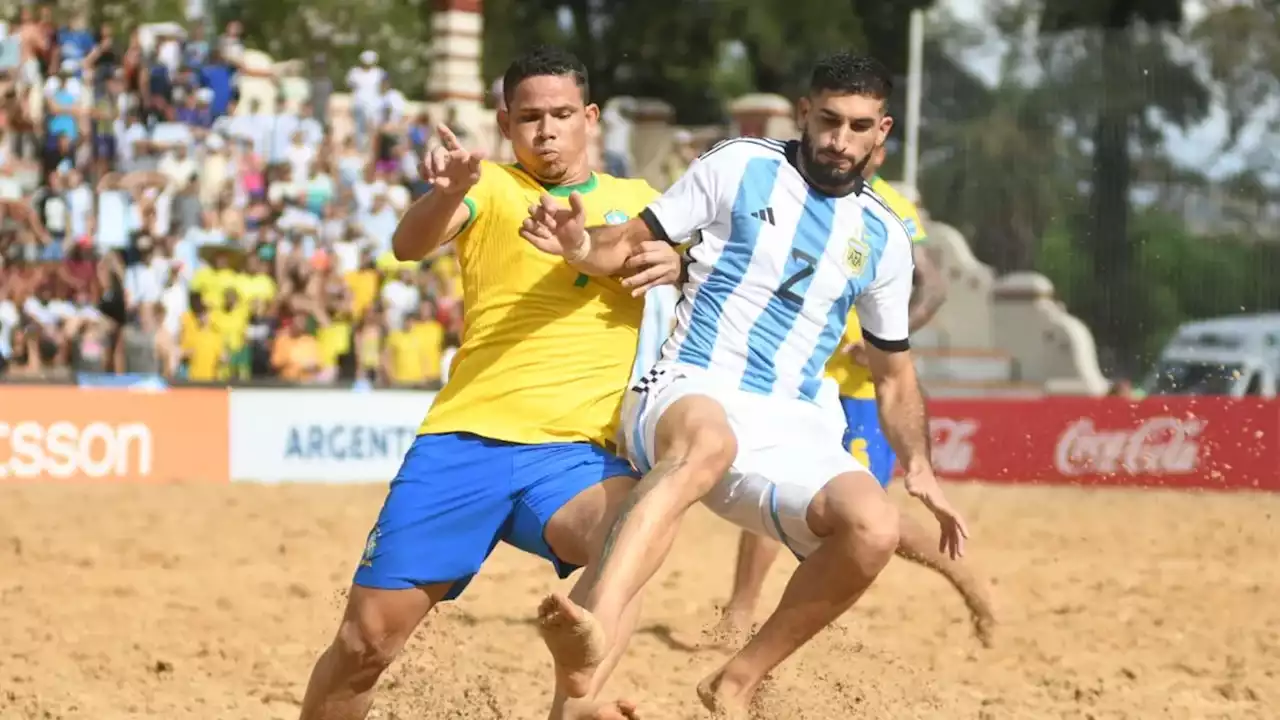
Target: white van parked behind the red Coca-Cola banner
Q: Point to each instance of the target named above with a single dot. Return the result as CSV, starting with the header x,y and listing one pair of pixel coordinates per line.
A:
x,y
1237,357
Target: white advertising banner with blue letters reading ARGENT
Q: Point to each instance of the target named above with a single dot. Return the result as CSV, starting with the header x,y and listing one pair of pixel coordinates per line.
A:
x,y
324,436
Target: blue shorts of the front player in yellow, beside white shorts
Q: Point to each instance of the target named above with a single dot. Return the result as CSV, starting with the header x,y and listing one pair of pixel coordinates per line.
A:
x,y
458,495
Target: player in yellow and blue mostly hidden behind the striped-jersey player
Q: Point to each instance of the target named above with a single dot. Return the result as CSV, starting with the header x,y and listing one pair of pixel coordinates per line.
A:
x,y
867,443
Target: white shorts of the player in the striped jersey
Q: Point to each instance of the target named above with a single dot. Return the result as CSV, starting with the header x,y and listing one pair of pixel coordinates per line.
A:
x,y
788,450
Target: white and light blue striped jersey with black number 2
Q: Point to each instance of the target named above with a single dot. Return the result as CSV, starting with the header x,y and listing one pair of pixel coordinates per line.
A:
x,y
776,267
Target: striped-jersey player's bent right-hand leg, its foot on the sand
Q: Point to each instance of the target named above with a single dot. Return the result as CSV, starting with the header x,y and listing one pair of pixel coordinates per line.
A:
x,y
856,531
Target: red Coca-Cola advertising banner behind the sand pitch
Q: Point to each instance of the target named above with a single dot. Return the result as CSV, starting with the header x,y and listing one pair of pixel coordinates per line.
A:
x,y
1178,443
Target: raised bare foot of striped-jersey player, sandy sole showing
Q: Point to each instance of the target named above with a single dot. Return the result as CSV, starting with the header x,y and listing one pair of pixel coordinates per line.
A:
x,y
577,642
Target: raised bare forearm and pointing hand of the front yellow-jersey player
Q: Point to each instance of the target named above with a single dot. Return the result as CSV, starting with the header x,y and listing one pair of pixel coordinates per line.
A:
x,y
445,211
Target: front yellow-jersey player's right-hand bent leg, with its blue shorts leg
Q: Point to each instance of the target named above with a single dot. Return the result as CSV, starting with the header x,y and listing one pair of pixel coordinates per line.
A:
x,y
564,514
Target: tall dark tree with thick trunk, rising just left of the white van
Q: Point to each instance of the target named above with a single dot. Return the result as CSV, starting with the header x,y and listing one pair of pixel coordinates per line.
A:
x,y
1124,75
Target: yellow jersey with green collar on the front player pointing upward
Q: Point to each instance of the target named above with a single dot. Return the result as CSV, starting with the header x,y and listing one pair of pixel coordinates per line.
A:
x,y
546,352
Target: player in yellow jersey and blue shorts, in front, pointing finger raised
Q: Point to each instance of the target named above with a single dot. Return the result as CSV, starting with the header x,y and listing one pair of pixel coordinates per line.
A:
x,y
518,448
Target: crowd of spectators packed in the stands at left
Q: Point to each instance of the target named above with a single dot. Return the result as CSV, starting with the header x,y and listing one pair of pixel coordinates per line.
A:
x,y
157,222
